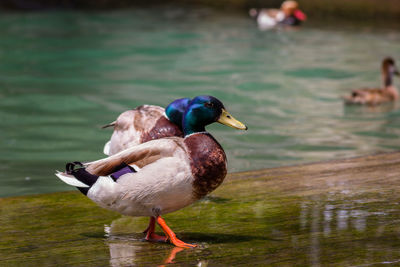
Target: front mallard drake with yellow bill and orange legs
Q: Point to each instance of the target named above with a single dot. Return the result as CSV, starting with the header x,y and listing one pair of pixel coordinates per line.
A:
x,y
161,175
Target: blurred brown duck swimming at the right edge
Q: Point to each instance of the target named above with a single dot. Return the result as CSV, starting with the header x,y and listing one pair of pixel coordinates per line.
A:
x,y
375,96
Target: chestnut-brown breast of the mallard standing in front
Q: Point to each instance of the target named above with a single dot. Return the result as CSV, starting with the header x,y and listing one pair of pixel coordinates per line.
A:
x,y
208,163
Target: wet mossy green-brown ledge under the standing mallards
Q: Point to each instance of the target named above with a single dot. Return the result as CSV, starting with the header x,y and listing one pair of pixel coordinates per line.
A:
x,y
338,213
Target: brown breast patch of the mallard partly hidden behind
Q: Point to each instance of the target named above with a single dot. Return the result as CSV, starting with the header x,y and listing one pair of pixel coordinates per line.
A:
x,y
162,128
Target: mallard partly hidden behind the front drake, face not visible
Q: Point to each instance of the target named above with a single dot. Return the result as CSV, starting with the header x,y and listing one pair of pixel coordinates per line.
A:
x,y
145,123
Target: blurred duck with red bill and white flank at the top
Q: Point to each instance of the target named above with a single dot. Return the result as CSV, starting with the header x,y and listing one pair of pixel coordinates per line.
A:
x,y
289,14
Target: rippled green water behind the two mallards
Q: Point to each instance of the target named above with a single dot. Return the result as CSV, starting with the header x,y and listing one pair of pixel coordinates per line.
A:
x,y
64,74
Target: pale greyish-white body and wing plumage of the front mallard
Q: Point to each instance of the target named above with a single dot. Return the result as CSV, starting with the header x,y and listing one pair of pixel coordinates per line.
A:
x,y
163,184
